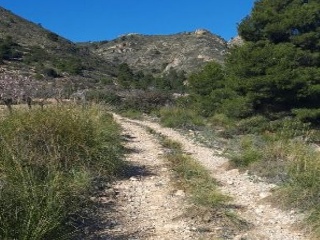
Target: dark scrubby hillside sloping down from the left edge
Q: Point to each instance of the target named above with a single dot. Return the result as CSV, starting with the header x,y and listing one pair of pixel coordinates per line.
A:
x,y
27,48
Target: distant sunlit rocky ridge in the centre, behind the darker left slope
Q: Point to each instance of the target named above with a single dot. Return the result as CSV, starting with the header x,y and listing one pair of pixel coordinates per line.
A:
x,y
158,53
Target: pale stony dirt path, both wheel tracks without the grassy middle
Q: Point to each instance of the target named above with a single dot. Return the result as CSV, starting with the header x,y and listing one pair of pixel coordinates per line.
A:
x,y
150,208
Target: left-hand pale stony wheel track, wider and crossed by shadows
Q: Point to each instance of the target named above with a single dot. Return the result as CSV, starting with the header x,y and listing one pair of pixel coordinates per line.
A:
x,y
146,205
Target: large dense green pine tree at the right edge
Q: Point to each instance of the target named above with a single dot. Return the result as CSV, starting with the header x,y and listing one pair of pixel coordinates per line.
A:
x,y
278,67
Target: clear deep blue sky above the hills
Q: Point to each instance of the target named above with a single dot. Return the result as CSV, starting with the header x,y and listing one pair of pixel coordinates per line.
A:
x,y
95,20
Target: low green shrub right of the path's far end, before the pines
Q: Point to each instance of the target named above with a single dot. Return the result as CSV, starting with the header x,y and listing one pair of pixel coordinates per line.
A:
x,y
180,118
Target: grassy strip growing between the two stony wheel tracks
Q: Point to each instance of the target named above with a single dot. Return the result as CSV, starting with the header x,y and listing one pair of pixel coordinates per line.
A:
x,y
208,203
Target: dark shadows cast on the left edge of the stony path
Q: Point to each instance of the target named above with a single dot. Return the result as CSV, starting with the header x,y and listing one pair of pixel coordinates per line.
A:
x,y
97,221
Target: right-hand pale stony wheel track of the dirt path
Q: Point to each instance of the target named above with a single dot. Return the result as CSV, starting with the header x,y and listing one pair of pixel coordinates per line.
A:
x,y
269,222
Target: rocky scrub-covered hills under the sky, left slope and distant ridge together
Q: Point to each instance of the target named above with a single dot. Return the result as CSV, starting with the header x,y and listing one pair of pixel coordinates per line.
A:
x,y
28,49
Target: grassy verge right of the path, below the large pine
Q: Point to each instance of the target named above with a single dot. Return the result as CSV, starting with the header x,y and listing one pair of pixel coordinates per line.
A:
x,y
282,152
